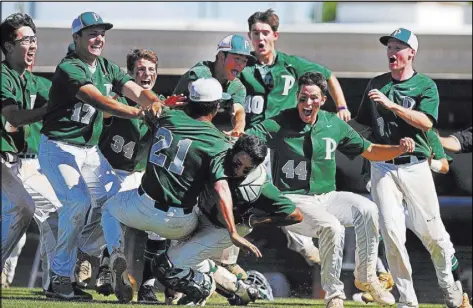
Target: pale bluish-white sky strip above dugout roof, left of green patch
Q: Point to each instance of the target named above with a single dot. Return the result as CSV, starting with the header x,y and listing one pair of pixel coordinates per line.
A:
x,y
238,12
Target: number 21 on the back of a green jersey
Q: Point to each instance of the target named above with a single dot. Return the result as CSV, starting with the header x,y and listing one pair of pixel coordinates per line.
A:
x,y
165,138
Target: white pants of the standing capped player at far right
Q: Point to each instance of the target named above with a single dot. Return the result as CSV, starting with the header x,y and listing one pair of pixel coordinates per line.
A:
x,y
413,183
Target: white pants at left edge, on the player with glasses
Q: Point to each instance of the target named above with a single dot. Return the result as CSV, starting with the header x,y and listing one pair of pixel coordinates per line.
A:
x,y
17,209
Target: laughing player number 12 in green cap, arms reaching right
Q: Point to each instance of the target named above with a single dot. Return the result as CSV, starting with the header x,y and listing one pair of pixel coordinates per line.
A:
x,y
69,155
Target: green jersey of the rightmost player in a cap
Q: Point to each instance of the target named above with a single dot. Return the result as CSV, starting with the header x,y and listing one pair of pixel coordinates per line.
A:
x,y
417,93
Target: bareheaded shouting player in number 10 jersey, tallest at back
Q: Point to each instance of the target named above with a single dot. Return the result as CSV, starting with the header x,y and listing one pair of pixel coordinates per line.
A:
x,y
271,85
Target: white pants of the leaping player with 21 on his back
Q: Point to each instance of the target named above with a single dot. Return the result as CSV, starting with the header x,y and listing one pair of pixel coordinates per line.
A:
x,y
138,211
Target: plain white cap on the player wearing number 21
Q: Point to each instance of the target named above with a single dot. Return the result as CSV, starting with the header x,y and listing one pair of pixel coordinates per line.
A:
x,y
207,90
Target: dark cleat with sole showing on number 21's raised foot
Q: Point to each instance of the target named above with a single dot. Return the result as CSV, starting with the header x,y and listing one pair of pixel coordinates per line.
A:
x,y
120,281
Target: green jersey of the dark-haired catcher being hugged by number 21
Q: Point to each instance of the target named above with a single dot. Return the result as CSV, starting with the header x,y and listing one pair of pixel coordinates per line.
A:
x,y
251,194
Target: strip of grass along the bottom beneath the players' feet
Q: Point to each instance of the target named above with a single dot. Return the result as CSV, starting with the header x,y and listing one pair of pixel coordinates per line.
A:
x,y
31,298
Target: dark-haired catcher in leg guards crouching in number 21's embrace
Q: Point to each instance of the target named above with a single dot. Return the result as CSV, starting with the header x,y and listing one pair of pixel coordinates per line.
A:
x,y
256,201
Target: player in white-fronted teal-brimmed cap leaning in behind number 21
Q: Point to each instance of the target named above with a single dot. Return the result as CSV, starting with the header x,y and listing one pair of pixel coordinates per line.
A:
x,y
233,54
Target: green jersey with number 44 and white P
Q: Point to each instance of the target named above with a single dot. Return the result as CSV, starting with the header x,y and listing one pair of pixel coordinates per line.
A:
x,y
304,158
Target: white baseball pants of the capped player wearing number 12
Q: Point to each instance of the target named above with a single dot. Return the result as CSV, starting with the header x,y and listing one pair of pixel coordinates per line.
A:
x,y
81,177
